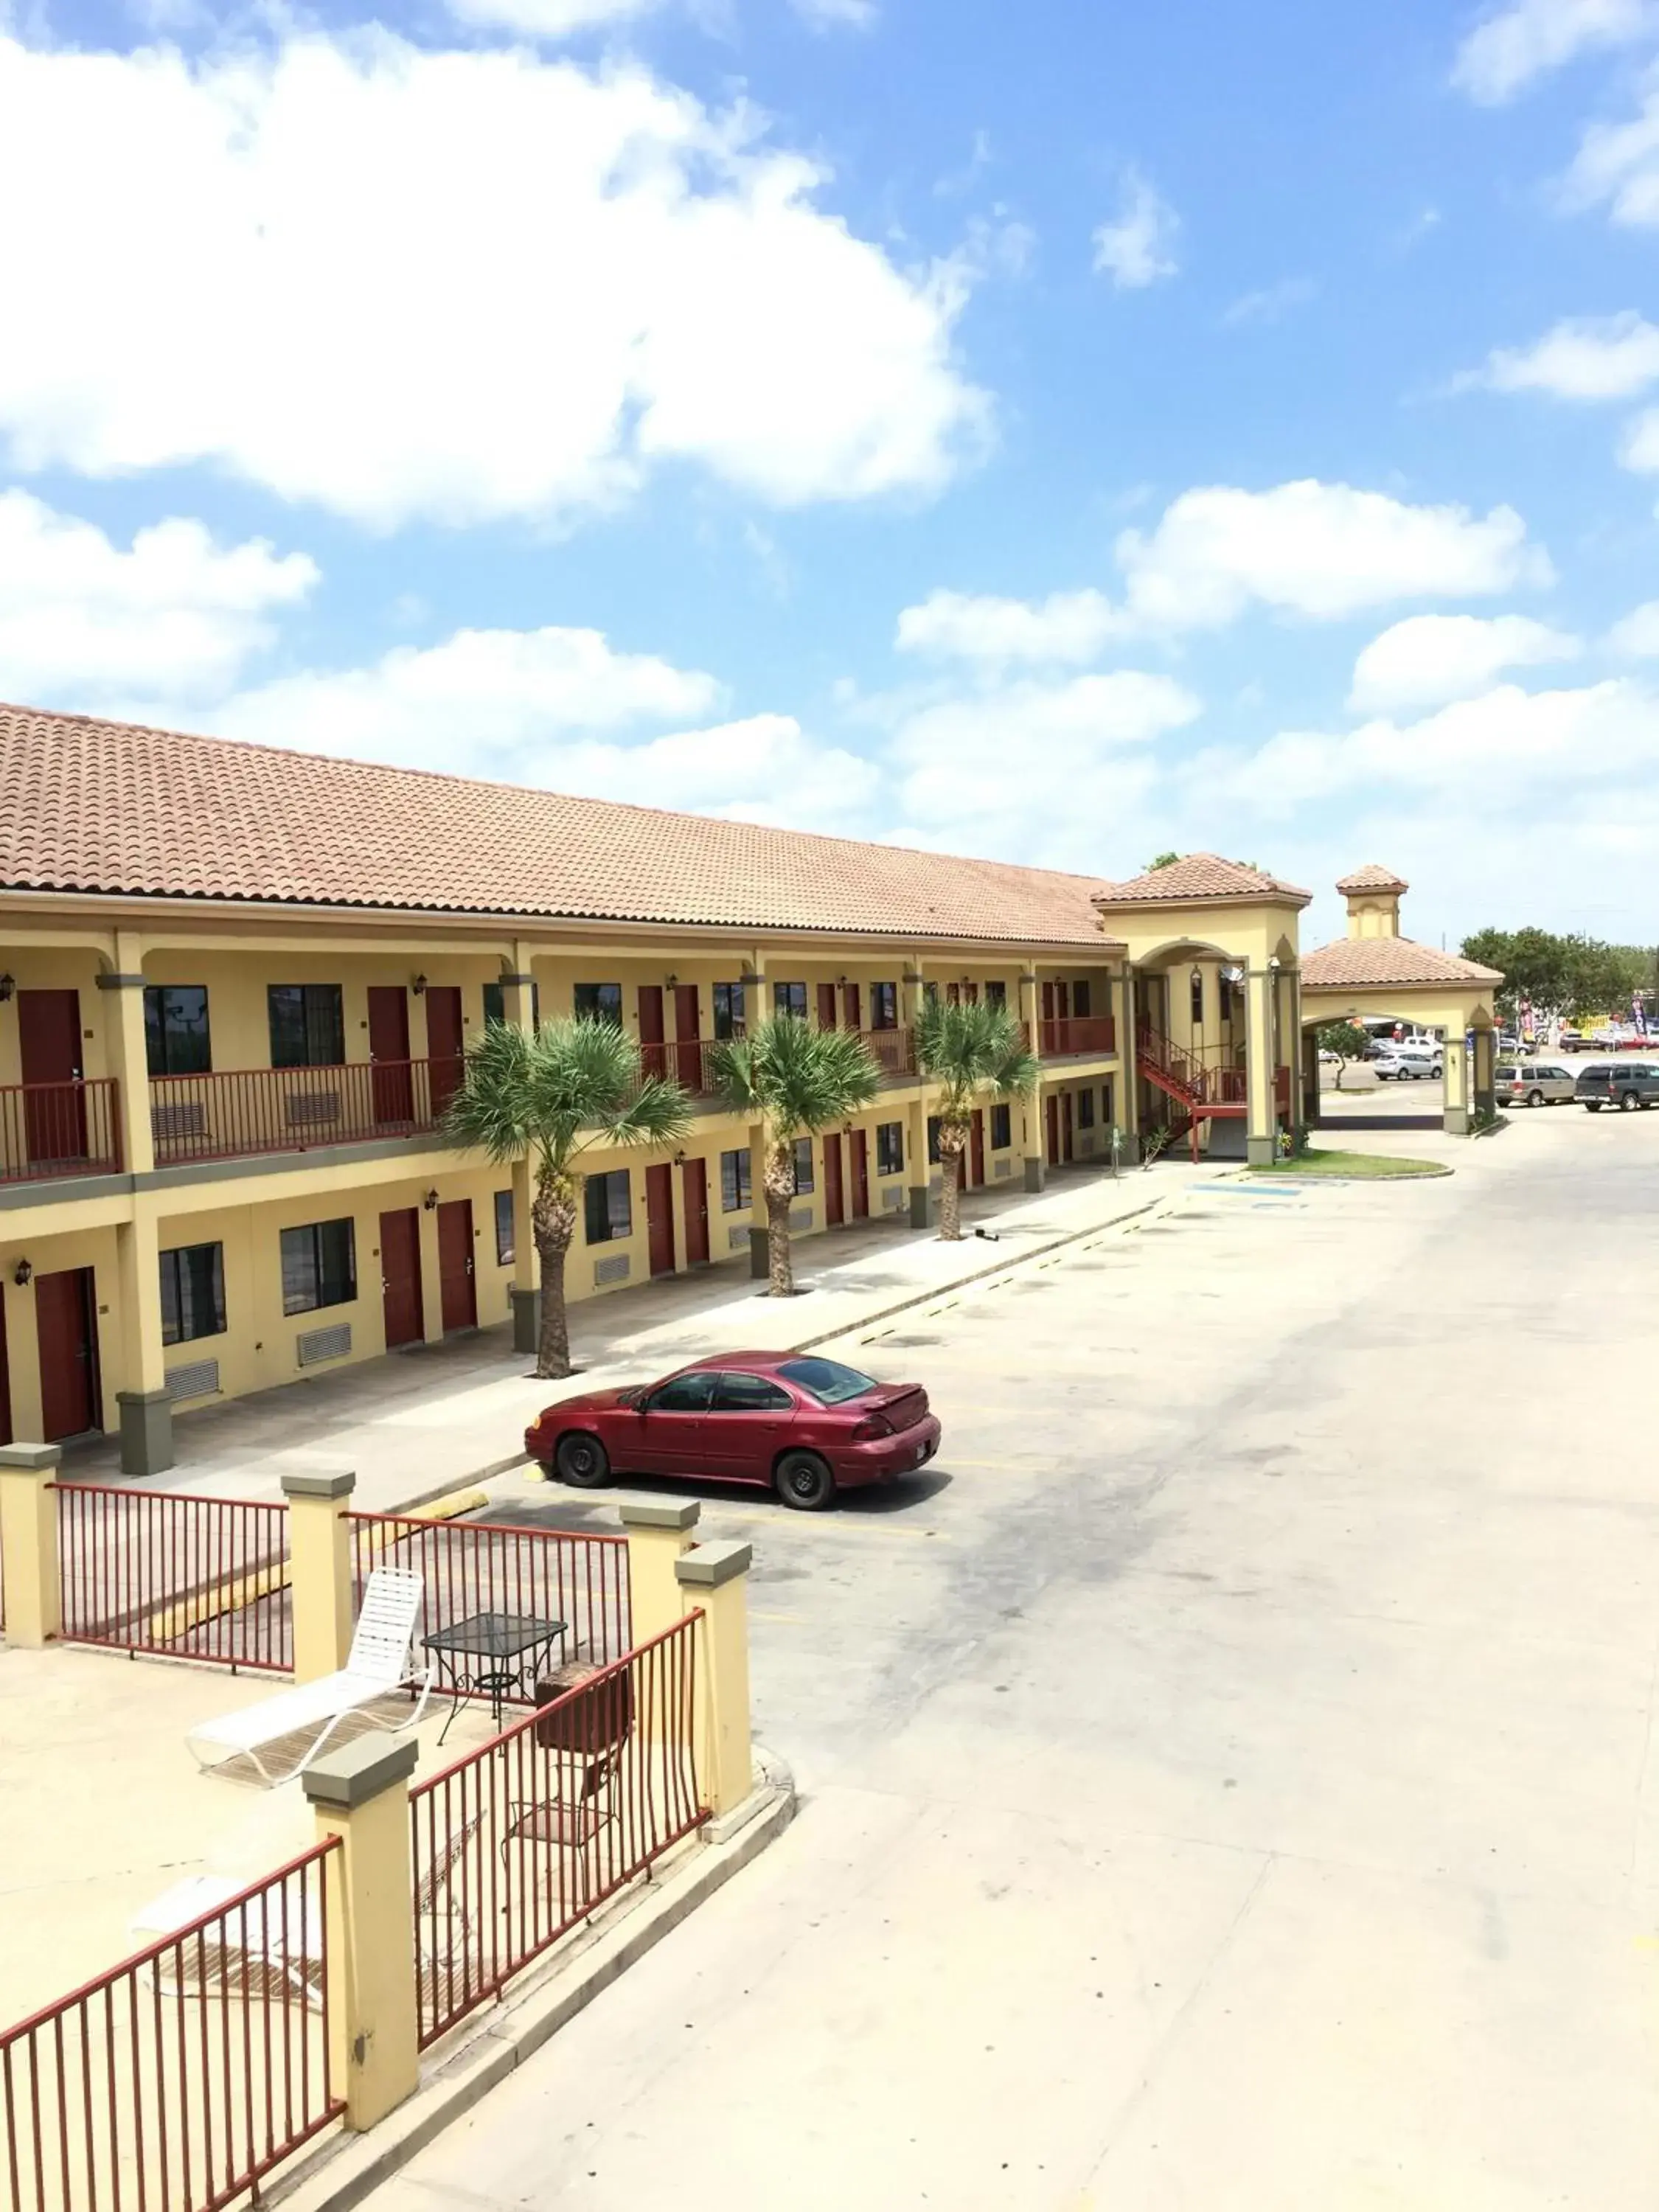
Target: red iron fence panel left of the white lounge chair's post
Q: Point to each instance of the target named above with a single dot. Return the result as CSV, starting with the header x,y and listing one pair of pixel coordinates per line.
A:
x,y
163,1572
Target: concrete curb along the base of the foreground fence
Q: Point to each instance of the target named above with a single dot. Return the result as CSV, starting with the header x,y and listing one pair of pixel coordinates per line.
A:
x,y
353,2167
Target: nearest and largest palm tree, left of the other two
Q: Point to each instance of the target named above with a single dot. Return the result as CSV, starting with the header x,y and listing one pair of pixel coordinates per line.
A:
x,y
556,1096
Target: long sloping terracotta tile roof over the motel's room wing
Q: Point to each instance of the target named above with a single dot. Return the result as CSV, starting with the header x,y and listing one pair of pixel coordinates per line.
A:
x,y
96,806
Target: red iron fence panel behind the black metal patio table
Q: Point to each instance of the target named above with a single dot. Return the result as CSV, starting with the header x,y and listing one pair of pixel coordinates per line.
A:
x,y
488,1567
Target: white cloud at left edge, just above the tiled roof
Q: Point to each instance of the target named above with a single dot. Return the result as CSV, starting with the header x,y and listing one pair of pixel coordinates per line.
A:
x,y
176,614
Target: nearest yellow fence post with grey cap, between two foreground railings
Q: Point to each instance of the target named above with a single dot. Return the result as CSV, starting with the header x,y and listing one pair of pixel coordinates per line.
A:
x,y
362,1795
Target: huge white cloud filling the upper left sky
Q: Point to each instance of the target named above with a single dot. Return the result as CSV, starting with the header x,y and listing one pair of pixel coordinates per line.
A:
x,y
596,275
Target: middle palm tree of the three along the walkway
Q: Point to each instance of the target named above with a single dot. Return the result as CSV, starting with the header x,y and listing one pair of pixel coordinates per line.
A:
x,y
793,1081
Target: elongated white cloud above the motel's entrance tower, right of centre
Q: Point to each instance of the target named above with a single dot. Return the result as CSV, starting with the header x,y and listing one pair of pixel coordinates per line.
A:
x,y
1315,550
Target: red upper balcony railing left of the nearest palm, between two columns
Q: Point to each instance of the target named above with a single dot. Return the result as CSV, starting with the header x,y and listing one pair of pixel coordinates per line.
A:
x,y
251,1112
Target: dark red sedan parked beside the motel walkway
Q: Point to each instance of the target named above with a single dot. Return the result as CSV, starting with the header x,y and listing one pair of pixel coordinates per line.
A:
x,y
797,1423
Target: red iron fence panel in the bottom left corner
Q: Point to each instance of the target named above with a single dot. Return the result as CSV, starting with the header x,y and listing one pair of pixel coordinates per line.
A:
x,y
180,2078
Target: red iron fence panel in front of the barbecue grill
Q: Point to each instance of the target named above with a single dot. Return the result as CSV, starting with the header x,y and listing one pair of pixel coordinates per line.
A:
x,y
521,1839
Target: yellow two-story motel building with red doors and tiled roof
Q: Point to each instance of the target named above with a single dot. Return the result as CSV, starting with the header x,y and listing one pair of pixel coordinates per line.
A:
x,y
238,985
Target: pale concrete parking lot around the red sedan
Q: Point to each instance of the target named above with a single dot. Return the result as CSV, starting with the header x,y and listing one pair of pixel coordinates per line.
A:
x,y
1227,1777
